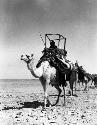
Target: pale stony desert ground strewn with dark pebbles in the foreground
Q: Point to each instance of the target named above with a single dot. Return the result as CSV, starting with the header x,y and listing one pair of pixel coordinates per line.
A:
x,y
22,107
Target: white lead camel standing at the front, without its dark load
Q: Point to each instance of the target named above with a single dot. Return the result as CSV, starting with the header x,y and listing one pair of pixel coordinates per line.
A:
x,y
46,74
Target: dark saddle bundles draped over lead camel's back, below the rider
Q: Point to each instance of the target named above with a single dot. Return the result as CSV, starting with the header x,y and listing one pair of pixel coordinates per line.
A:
x,y
54,59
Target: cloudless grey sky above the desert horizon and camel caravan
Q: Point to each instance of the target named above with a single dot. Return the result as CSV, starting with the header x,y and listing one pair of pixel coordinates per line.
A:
x,y
22,21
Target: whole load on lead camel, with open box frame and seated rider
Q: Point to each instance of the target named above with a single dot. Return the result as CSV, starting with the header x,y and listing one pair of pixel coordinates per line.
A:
x,y
55,55
